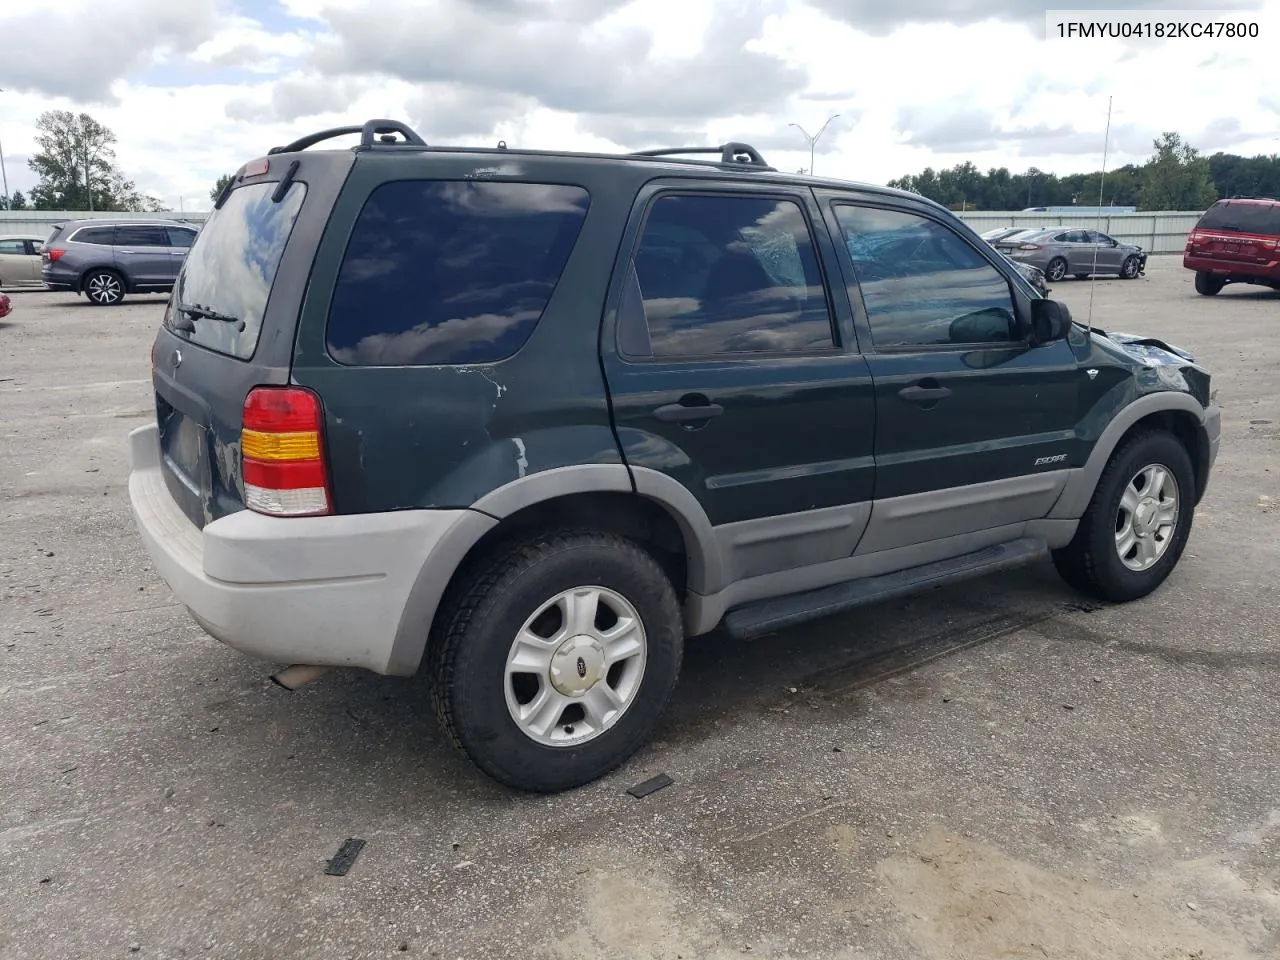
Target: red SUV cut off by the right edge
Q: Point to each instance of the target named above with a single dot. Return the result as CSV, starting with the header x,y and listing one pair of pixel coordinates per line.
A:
x,y
1236,241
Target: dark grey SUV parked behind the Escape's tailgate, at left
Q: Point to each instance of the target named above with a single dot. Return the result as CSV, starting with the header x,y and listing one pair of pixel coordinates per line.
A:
x,y
106,259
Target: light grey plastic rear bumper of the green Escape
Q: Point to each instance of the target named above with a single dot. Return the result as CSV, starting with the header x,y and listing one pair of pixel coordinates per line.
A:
x,y
314,591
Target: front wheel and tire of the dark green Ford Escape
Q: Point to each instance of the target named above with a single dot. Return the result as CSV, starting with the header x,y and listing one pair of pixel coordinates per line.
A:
x,y
1137,525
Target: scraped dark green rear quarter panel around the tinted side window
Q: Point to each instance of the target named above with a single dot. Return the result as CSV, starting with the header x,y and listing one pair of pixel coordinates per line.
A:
x,y
420,437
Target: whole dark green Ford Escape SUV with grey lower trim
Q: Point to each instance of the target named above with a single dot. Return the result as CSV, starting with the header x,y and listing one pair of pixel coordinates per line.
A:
x,y
524,420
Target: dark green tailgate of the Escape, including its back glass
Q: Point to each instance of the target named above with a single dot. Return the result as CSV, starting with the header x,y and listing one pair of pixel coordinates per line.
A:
x,y
231,323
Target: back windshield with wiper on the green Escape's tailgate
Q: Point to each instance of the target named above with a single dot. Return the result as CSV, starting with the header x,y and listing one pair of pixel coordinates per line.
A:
x,y
232,267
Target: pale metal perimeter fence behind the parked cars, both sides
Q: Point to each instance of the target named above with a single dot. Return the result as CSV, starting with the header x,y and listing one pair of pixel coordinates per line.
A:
x,y
1164,232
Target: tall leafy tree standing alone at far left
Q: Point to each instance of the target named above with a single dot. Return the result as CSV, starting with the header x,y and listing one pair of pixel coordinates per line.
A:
x,y
76,164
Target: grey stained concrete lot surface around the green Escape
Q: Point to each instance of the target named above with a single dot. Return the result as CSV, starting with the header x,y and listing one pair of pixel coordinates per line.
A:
x,y
998,770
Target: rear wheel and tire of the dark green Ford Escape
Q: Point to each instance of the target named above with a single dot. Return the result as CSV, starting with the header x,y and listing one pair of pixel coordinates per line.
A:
x,y
555,665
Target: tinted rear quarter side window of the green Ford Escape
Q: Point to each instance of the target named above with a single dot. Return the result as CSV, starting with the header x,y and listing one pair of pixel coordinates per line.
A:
x,y
442,272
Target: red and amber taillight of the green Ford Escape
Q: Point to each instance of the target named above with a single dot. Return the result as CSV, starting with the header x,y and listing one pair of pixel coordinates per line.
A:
x,y
282,450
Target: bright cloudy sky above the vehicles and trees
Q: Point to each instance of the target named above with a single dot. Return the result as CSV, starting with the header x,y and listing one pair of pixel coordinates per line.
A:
x,y
195,88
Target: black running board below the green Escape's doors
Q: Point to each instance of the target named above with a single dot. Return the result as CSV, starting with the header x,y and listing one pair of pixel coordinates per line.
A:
x,y
764,618
